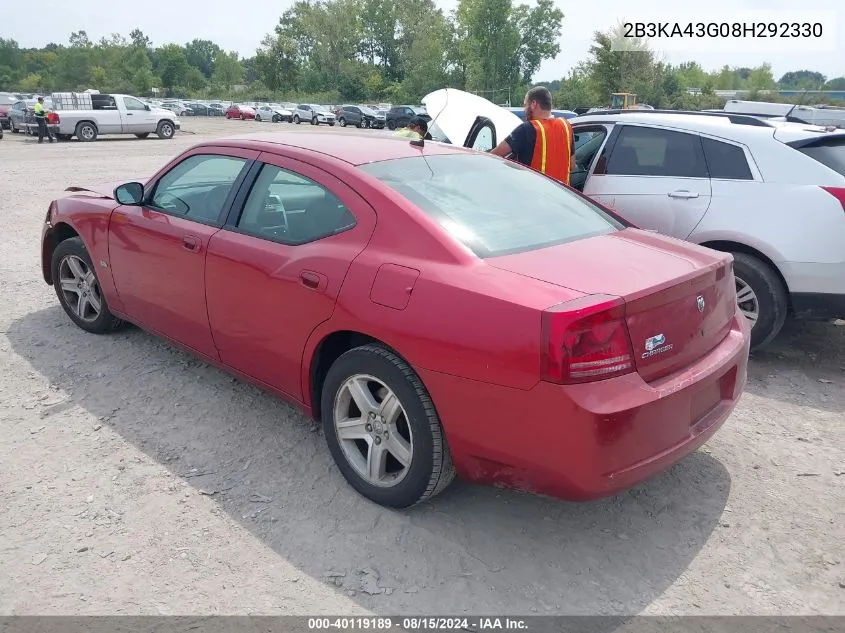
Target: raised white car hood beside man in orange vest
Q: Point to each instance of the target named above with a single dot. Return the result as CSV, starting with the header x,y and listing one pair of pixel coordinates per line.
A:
x,y
455,113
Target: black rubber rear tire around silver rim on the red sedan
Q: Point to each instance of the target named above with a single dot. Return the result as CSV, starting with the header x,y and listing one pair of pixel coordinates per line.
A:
x,y
431,469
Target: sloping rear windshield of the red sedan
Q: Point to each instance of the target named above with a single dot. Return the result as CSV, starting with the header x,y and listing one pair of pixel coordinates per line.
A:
x,y
494,207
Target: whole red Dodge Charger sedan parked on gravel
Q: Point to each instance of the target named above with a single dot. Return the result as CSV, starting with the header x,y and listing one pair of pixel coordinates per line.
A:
x,y
439,310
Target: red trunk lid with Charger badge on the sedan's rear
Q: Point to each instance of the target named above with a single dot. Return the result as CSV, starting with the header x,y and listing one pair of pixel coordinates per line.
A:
x,y
679,297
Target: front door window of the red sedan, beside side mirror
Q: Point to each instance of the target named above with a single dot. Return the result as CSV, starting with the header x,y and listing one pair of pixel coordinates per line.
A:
x,y
198,187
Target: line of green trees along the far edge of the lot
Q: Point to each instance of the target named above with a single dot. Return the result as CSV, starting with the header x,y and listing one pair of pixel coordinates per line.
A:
x,y
382,50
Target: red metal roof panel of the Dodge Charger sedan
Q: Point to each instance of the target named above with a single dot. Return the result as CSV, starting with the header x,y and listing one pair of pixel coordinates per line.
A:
x,y
355,149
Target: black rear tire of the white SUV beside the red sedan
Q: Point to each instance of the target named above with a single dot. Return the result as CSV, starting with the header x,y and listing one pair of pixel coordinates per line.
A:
x,y
772,298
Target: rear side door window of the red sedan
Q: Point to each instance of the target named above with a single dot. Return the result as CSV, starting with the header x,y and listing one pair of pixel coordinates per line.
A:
x,y
287,208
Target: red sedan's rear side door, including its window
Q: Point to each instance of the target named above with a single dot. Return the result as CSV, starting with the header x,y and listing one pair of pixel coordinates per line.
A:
x,y
274,272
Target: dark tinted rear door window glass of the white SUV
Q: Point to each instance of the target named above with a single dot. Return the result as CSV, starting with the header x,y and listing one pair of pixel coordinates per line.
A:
x,y
644,151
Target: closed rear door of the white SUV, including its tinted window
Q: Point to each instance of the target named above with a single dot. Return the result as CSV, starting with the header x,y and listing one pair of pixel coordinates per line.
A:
x,y
655,178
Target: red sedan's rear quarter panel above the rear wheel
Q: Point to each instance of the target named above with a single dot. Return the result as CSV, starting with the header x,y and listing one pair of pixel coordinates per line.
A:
x,y
463,317
